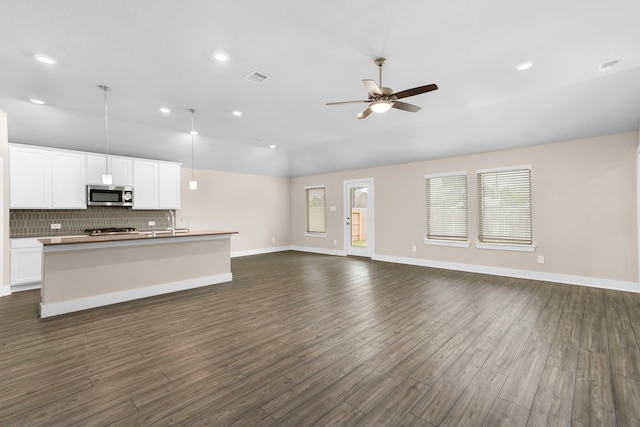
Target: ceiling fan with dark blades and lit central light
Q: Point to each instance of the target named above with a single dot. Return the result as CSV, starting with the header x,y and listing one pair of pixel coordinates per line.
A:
x,y
382,98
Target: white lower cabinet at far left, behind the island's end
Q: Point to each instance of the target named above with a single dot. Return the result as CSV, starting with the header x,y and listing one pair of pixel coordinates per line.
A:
x,y
26,263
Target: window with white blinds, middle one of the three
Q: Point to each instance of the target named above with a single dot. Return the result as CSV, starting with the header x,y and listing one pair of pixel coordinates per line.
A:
x,y
447,206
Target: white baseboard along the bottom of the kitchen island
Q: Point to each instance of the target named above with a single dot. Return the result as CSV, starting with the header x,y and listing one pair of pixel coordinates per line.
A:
x,y
54,309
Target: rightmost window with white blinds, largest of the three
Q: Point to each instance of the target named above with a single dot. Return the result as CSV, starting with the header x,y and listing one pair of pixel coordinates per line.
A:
x,y
504,206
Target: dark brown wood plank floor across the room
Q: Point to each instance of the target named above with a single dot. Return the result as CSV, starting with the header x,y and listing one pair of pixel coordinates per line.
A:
x,y
301,339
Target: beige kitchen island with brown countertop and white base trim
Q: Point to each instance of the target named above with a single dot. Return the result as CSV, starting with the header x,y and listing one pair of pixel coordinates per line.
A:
x,y
82,272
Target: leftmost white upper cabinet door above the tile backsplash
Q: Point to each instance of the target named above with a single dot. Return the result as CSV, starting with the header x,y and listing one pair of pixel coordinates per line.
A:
x,y
29,178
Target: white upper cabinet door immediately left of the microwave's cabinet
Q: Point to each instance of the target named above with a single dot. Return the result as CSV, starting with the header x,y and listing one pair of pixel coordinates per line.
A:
x,y
68,175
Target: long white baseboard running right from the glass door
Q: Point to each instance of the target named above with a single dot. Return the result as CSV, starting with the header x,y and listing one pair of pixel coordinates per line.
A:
x,y
617,285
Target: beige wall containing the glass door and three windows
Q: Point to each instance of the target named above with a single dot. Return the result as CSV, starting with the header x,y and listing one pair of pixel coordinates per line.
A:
x,y
584,213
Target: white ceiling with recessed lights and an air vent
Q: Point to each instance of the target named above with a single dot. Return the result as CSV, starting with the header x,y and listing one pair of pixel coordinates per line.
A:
x,y
156,53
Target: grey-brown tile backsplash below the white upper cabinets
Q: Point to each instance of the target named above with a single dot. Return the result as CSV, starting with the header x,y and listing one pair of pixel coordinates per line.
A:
x,y
37,222
